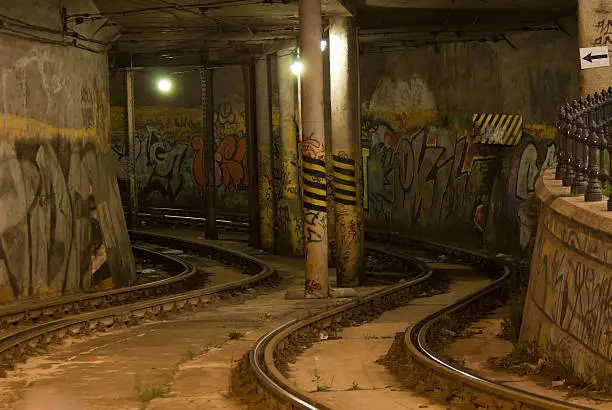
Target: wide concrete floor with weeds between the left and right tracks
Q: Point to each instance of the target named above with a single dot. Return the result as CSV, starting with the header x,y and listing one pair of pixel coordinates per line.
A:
x,y
180,363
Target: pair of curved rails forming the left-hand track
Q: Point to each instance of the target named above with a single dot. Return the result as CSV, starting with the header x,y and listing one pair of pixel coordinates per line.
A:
x,y
98,316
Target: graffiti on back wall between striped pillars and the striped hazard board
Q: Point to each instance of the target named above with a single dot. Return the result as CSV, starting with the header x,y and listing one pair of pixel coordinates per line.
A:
x,y
423,174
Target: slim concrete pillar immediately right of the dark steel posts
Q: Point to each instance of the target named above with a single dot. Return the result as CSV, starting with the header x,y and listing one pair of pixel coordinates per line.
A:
x,y
267,207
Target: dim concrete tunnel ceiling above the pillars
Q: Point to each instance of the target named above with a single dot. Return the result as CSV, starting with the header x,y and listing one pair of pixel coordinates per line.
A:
x,y
179,32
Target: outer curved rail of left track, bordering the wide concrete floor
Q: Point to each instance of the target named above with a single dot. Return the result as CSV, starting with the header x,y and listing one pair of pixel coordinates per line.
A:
x,y
15,346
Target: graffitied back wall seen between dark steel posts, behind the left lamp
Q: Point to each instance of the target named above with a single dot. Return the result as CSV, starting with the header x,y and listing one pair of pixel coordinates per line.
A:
x,y
170,162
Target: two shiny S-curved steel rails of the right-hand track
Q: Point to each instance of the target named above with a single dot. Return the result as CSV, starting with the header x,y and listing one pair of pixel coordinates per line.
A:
x,y
447,379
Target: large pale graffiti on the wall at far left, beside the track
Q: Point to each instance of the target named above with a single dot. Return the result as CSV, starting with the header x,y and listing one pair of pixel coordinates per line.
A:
x,y
61,218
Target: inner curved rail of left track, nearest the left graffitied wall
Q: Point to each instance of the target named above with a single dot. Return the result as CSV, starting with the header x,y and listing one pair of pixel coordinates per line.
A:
x,y
35,310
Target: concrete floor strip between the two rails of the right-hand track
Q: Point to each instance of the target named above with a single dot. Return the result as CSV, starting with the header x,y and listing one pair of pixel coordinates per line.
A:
x,y
343,373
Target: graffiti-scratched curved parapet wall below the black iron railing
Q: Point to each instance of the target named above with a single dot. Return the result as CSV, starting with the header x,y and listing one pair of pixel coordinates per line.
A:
x,y
571,288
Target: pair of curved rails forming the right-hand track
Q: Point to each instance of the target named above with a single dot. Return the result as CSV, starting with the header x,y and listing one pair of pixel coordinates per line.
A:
x,y
261,378
